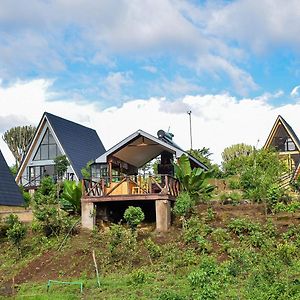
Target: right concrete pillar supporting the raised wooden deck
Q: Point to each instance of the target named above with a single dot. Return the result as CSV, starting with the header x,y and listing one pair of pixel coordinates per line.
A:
x,y
163,215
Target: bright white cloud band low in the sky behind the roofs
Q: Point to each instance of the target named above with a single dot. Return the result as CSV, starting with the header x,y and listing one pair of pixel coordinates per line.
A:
x,y
218,121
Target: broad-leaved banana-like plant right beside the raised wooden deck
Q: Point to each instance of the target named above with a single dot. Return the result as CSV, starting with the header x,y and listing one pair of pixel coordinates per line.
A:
x,y
193,181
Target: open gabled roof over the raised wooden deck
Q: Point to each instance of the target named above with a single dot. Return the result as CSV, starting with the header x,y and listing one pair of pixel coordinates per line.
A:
x,y
128,150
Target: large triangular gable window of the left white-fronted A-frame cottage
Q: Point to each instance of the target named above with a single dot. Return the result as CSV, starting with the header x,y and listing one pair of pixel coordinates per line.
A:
x,y
48,149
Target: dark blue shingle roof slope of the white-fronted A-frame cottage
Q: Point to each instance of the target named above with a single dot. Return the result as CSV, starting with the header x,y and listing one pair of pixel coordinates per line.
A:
x,y
81,144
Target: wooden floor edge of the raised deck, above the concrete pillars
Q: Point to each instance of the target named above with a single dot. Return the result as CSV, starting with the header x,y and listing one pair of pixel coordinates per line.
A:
x,y
132,197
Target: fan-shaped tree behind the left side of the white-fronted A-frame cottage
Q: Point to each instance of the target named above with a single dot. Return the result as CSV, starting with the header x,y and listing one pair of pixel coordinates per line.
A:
x,y
17,140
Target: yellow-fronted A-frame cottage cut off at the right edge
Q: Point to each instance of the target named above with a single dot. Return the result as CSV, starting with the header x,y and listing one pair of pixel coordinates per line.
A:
x,y
283,139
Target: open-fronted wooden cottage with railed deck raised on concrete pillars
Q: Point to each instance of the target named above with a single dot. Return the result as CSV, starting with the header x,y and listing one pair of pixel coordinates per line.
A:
x,y
116,182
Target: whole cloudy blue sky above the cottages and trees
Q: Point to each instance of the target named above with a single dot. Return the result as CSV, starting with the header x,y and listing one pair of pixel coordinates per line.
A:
x,y
120,66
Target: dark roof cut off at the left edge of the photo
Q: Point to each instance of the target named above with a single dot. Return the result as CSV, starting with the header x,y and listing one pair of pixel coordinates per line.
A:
x,y
10,194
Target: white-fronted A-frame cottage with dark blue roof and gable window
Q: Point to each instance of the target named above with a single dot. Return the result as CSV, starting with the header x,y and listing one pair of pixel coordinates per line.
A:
x,y
56,136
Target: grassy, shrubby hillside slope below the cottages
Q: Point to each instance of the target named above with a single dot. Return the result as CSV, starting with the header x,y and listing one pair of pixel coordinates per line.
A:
x,y
242,259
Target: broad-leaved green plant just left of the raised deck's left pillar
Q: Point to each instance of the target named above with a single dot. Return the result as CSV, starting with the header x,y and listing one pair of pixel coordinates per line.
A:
x,y
70,198
